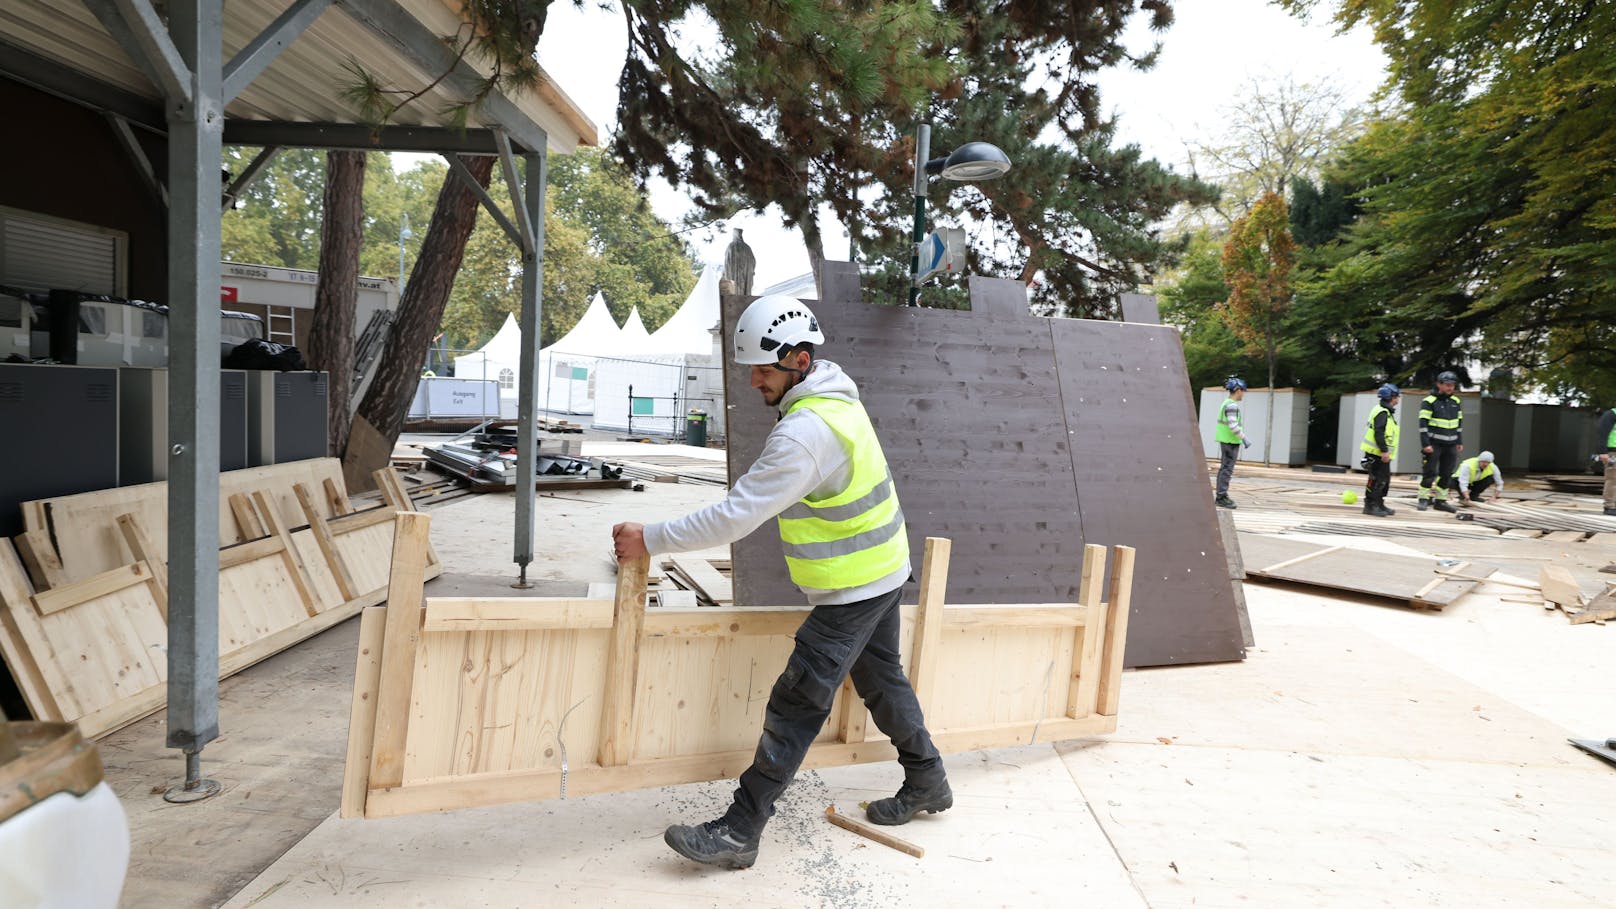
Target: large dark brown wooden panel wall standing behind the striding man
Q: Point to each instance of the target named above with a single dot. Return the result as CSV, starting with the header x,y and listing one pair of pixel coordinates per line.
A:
x,y
1022,439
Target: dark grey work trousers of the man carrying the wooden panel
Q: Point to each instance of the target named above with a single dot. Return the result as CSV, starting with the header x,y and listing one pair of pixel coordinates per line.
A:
x,y
861,638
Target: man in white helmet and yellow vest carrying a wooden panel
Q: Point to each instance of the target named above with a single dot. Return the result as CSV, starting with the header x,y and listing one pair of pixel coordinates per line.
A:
x,y
827,480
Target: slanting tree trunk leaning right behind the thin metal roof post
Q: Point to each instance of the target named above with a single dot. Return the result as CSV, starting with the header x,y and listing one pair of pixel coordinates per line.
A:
x,y
421,313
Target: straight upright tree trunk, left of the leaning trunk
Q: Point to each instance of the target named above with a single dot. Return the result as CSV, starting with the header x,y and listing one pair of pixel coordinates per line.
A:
x,y
337,295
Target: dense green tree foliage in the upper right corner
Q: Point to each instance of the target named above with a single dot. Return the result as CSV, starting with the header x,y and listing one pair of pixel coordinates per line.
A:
x,y
1489,203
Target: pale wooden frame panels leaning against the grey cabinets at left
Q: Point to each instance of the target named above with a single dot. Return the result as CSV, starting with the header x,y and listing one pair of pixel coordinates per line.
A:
x,y
91,649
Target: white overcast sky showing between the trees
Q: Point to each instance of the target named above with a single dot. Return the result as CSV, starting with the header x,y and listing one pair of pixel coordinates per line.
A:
x,y
1213,51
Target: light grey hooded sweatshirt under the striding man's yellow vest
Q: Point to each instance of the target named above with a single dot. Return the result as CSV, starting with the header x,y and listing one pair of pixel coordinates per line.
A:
x,y
801,457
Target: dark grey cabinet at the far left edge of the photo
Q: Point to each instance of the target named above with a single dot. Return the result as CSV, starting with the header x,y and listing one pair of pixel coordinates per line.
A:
x,y
62,434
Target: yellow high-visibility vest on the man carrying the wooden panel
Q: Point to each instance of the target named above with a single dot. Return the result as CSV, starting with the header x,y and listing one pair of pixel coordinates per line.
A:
x,y
856,536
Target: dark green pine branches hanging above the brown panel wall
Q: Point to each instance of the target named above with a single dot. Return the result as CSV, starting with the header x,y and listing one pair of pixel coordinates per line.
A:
x,y
807,124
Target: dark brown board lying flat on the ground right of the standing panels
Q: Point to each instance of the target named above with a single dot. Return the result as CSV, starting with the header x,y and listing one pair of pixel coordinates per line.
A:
x,y
1360,572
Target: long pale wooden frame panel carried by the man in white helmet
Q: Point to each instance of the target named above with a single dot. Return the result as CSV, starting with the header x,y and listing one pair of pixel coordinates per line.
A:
x,y
513,700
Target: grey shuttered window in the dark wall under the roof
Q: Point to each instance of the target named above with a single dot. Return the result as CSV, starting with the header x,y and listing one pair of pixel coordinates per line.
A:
x,y
43,253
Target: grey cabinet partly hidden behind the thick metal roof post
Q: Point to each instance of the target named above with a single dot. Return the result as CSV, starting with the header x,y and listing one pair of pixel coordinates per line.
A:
x,y
143,439
